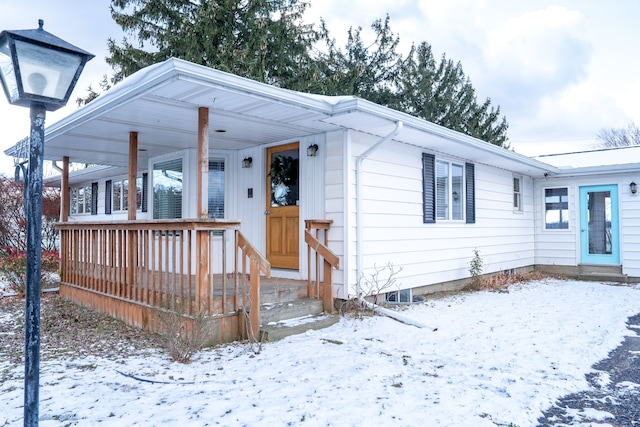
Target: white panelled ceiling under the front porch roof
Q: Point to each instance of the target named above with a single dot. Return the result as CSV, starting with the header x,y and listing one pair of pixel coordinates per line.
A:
x,y
165,115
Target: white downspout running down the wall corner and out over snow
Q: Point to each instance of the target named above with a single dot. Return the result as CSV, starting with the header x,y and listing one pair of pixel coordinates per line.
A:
x,y
361,299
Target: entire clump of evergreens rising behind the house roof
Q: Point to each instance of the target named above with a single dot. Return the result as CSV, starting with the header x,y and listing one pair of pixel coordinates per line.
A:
x,y
267,41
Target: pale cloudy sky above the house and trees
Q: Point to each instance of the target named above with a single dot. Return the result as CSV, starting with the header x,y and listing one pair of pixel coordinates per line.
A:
x,y
559,70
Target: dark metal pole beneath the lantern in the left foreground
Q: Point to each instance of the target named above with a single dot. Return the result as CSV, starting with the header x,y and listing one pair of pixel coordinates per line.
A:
x,y
33,213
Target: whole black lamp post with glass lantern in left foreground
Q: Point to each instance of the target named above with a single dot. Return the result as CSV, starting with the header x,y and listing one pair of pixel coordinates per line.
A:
x,y
38,70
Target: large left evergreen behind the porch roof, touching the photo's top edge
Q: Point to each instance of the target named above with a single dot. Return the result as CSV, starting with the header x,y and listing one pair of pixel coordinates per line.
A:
x,y
263,40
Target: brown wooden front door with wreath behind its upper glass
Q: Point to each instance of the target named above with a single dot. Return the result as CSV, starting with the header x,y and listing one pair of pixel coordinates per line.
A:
x,y
282,210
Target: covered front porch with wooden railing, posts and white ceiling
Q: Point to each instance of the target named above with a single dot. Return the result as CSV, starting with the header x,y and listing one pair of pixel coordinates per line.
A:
x,y
169,243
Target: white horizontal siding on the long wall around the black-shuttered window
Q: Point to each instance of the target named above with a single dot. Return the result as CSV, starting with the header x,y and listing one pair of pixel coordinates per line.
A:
x,y
394,229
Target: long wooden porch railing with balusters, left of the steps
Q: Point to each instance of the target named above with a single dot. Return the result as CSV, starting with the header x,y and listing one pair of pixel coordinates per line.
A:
x,y
179,265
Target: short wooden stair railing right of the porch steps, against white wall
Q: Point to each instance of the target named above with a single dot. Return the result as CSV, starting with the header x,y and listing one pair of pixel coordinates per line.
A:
x,y
314,230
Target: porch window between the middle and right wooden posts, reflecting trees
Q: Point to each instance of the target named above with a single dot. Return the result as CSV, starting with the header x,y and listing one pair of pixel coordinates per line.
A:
x,y
167,189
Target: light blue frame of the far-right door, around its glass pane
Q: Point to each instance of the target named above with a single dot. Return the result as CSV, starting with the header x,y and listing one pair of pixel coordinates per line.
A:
x,y
587,255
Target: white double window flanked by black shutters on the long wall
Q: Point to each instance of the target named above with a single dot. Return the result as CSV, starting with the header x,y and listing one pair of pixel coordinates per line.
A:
x,y
448,190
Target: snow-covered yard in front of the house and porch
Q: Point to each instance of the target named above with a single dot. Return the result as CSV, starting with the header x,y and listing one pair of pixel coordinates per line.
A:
x,y
496,358
